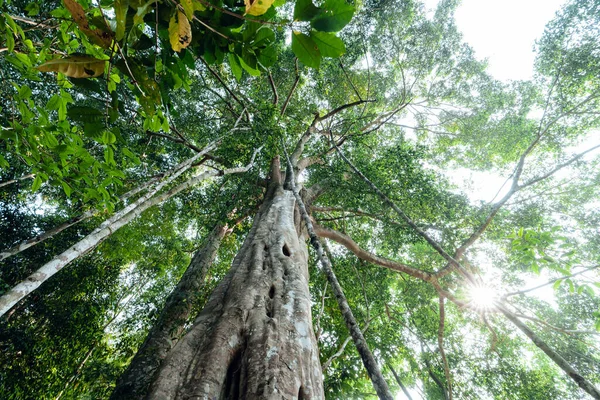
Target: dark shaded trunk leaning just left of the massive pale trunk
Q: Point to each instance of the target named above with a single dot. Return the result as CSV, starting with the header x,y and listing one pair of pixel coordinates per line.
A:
x,y
169,327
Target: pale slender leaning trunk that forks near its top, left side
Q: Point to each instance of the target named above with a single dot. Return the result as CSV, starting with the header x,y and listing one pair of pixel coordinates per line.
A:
x,y
107,228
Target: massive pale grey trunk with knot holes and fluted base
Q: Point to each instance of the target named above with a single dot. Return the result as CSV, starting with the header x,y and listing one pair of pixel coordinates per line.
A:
x,y
254,339
